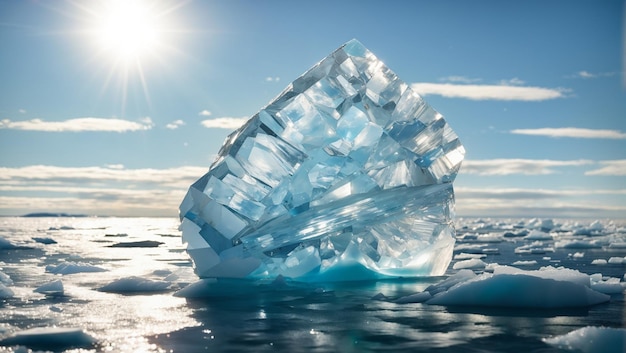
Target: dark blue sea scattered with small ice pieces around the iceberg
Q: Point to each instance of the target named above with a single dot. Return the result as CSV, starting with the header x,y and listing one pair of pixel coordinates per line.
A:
x,y
108,285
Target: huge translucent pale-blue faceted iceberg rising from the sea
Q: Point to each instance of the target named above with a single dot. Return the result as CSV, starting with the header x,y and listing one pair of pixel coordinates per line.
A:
x,y
346,175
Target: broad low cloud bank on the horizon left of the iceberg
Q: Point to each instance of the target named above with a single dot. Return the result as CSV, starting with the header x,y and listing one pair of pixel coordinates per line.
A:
x,y
110,190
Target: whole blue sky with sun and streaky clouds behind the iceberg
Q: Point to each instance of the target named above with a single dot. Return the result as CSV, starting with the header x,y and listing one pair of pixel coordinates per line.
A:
x,y
120,121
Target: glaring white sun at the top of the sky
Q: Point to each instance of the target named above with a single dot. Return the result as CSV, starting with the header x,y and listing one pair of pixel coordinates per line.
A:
x,y
126,41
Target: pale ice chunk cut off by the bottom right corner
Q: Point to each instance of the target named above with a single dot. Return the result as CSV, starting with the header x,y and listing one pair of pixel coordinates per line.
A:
x,y
591,339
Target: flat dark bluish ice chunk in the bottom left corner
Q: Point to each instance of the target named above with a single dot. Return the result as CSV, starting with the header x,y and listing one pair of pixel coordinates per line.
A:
x,y
50,338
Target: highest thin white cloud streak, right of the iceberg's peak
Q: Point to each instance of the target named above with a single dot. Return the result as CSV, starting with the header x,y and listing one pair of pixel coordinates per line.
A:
x,y
489,92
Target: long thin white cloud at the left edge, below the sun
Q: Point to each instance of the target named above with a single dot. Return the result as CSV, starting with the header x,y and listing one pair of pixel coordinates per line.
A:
x,y
78,125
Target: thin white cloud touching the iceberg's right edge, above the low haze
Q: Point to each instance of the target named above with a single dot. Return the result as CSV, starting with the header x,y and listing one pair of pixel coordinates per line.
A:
x,y
505,166
